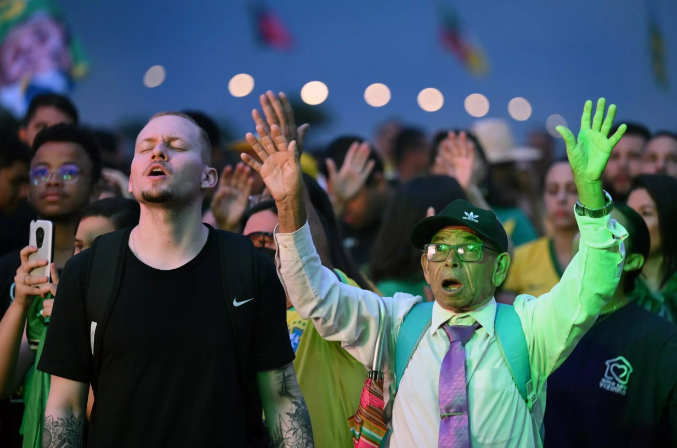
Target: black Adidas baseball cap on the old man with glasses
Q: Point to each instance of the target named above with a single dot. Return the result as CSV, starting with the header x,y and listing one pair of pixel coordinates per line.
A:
x,y
461,213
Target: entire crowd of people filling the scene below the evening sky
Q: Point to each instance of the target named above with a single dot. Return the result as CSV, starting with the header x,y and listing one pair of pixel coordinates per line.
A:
x,y
207,284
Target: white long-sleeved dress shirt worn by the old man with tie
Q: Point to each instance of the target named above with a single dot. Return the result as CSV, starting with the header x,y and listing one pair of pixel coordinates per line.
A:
x,y
498,416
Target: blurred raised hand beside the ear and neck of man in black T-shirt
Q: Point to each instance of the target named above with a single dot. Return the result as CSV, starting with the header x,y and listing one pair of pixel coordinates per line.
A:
x,y
230,200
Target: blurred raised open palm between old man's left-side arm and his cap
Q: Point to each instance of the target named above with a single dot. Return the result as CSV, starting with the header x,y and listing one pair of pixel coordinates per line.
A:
x,y
345,183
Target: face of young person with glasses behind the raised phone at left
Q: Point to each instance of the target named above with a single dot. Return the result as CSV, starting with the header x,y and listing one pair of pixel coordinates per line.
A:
x,y
60,180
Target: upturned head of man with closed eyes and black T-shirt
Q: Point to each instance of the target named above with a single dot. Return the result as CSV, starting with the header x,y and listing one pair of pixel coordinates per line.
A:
x,y
168,168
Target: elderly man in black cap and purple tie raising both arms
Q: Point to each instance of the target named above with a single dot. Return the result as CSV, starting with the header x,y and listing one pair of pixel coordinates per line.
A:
x,y
466,371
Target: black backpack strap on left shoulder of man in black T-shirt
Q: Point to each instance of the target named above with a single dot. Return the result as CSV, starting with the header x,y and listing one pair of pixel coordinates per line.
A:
x,y
104,275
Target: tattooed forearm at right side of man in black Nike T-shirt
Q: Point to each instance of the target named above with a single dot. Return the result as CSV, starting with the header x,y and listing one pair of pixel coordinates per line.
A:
x,y
292,429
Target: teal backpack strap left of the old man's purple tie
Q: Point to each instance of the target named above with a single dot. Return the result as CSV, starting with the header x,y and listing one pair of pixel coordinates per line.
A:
x,y
415,324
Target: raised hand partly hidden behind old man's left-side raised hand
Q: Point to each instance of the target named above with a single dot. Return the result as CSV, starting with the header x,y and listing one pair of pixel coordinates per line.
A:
x,y
278,111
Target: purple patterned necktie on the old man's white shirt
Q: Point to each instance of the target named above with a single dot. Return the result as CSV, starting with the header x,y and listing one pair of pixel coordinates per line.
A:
x,y
454,429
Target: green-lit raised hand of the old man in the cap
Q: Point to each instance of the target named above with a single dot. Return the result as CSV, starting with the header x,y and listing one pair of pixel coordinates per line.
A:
x,y
589,154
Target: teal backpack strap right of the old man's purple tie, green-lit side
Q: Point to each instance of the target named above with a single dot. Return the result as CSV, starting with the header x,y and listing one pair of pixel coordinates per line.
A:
x,y
513,345
